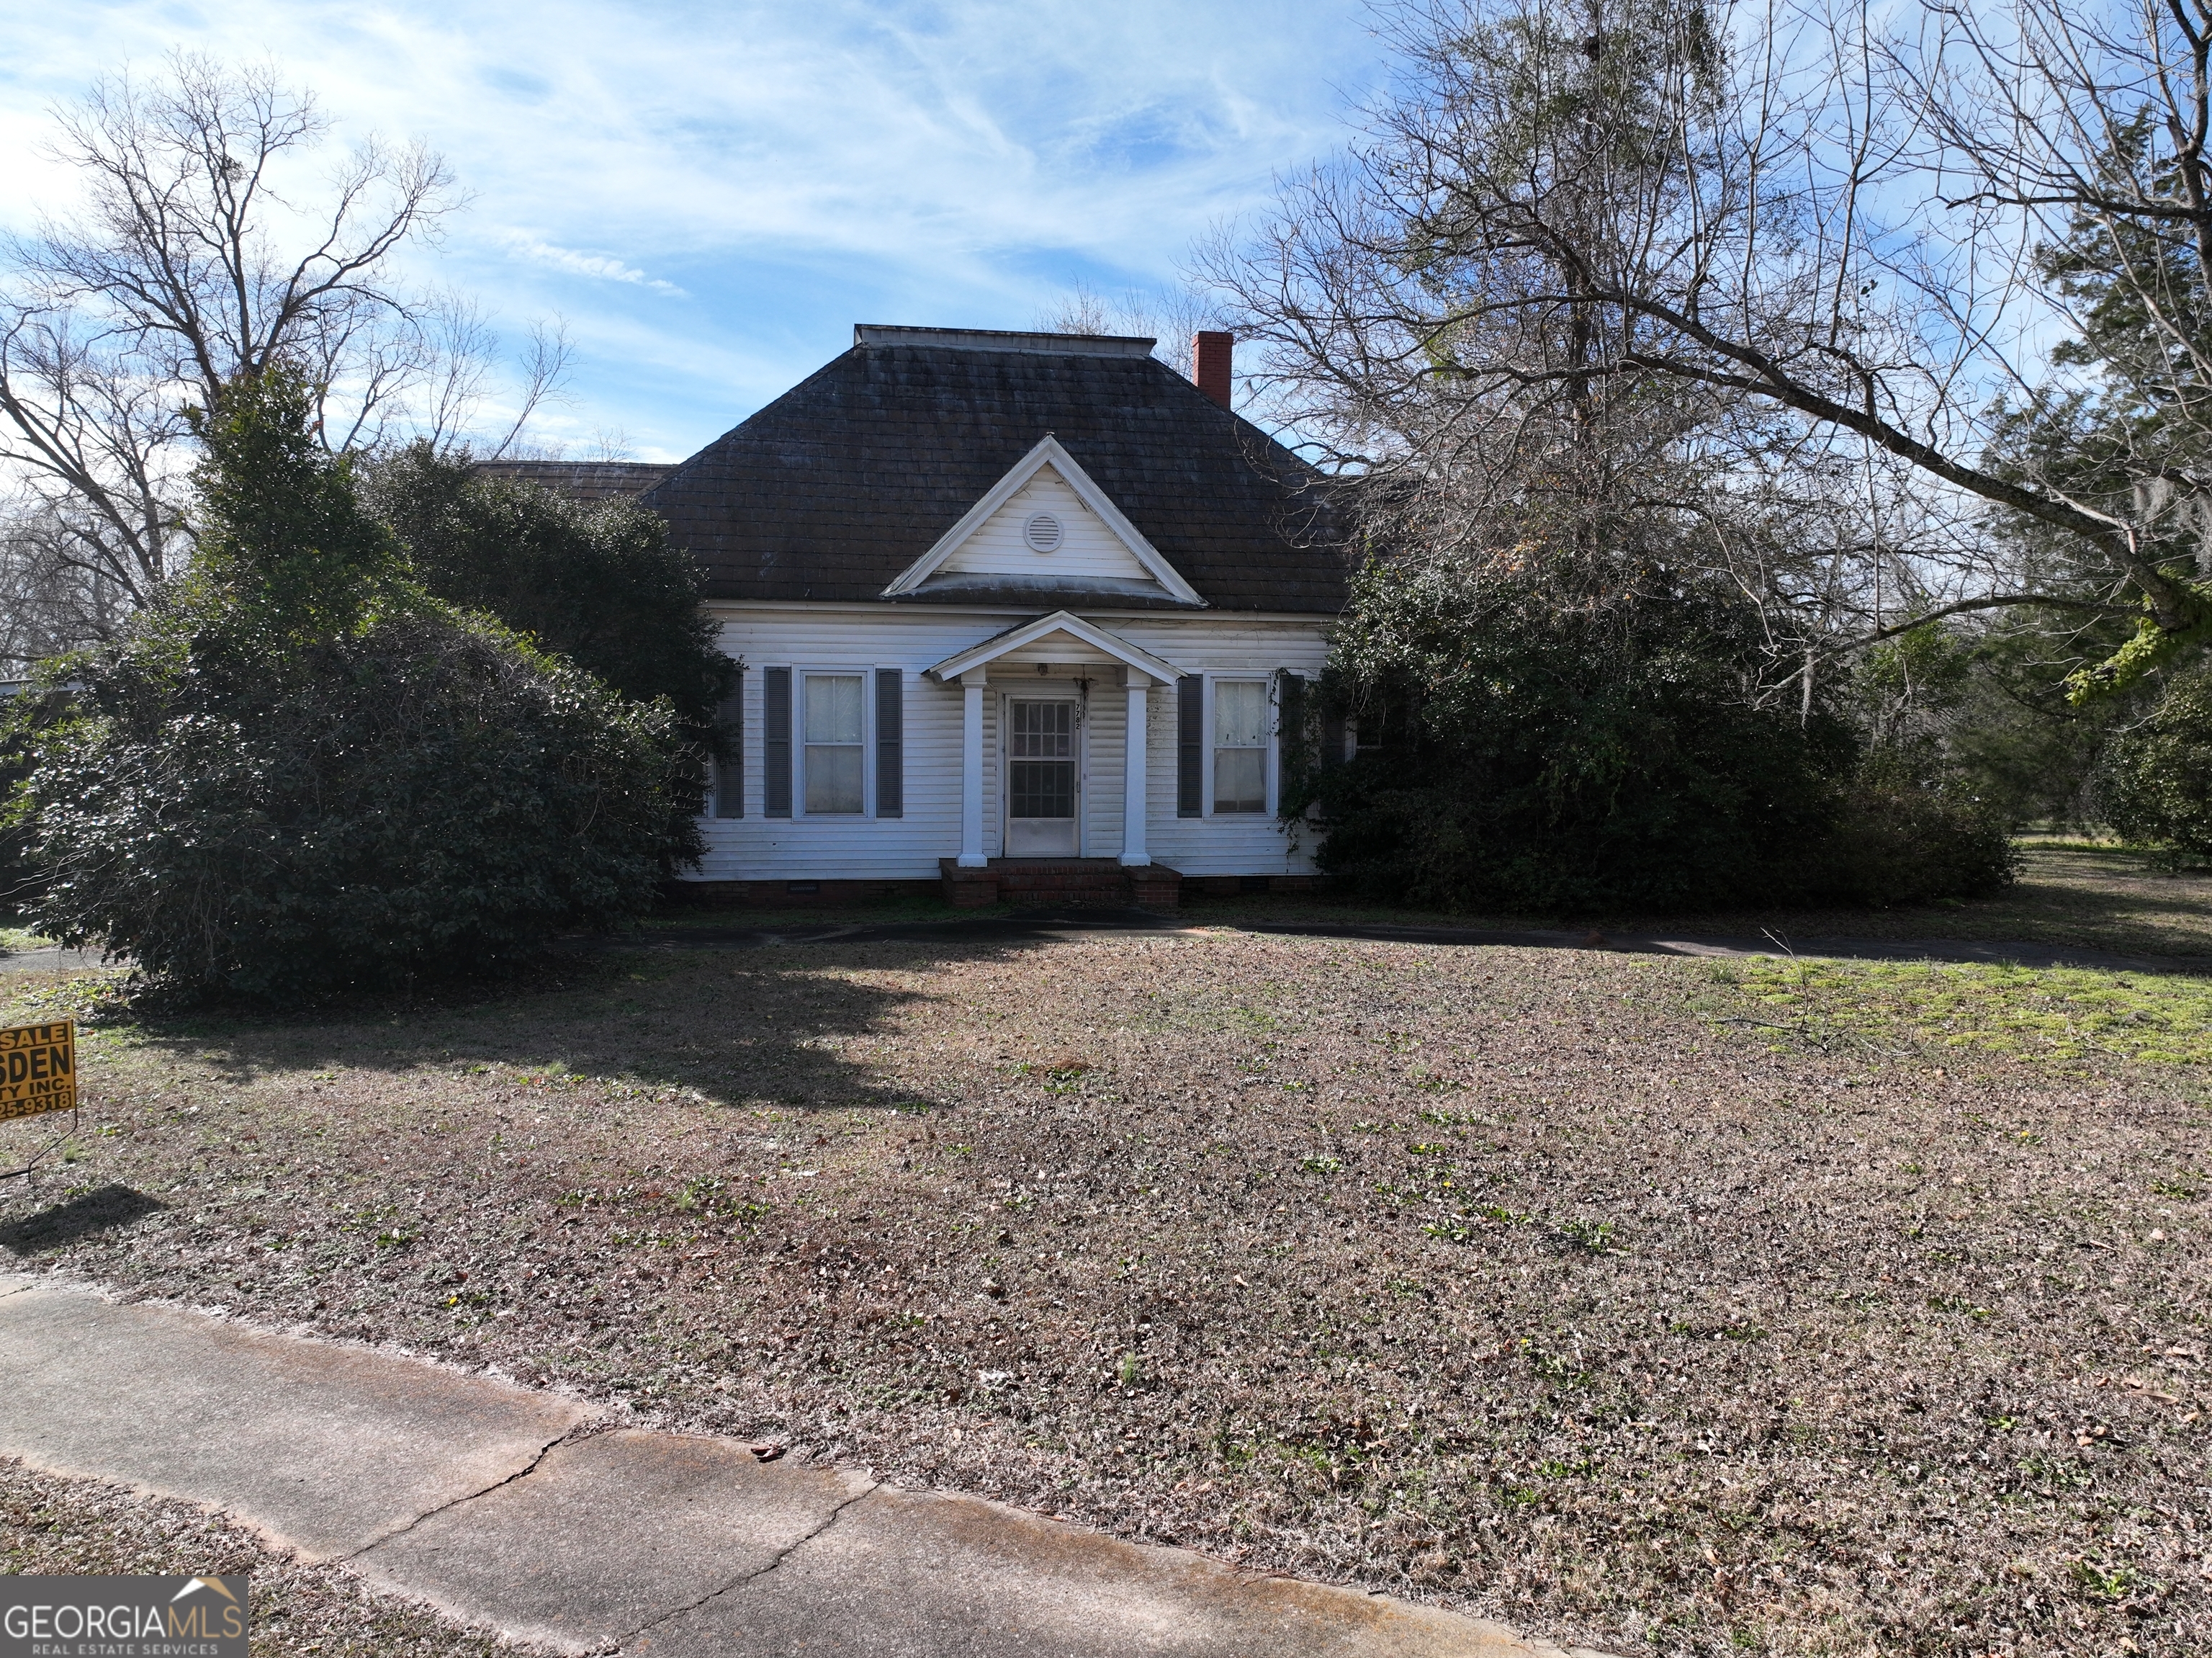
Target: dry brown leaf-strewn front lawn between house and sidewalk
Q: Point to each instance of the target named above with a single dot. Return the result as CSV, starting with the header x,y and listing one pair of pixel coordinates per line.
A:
x,y
1616,1296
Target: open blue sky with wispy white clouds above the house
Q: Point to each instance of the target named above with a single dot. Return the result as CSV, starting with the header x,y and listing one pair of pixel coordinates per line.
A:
x,y
713,194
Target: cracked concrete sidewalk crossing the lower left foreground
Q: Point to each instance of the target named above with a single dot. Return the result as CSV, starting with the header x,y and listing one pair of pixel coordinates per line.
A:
x,y
532,1515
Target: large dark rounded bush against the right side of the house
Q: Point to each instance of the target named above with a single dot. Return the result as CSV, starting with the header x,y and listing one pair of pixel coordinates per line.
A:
x,y
1547,738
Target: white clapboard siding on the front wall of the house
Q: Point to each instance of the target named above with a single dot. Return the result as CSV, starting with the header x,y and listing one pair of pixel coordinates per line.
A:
x,y
915,639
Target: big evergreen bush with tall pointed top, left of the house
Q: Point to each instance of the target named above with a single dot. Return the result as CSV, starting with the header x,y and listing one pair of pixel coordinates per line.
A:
x,y
304,774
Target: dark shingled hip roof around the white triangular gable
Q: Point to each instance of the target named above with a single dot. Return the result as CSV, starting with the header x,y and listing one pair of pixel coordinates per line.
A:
x,y
851,477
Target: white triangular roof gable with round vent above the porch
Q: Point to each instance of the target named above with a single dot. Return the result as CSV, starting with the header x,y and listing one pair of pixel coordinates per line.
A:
x,y
1045,528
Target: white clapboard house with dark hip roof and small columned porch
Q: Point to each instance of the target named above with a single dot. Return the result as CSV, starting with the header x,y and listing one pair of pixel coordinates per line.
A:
x,y
1019,614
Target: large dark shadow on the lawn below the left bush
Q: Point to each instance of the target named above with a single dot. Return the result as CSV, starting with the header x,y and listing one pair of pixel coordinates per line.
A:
x,y
758,1026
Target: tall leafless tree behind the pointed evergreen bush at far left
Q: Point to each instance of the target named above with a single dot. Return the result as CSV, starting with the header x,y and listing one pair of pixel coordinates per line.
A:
x,y
207,247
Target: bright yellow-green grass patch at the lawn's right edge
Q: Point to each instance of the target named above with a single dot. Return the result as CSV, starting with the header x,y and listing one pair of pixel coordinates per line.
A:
x,y
2054,1015
